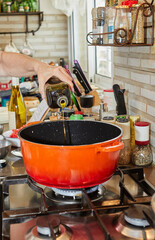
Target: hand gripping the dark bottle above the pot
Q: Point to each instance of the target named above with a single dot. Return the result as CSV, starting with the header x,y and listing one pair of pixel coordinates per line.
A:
x,y
46,71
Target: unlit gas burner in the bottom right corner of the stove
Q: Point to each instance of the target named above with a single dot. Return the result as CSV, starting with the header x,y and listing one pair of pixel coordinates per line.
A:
x,y
133,223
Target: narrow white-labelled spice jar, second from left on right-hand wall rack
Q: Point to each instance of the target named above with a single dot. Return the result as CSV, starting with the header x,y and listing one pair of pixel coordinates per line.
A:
x,y
100,24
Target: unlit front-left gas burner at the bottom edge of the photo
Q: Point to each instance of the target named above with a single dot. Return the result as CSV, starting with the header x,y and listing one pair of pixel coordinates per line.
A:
x,y
45,226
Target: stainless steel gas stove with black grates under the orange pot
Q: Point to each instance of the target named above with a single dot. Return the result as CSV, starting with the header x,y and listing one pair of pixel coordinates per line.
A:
x,y
118,209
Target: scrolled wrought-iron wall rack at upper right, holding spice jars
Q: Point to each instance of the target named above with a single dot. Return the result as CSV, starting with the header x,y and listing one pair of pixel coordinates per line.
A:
x,y
127,38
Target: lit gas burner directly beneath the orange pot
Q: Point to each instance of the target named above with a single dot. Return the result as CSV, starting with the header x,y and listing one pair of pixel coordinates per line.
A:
x,y
72,196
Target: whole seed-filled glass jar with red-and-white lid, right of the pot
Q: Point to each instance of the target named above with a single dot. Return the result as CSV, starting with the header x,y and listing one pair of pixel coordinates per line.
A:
x,y
142,153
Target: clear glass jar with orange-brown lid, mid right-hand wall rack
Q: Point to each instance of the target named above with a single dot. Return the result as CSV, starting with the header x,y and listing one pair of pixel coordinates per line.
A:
x,y
122,23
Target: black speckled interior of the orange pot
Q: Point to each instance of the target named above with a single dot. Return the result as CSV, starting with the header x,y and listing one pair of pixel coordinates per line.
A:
x,y
77,132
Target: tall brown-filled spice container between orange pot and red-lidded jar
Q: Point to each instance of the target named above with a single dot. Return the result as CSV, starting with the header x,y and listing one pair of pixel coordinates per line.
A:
x,y
125,153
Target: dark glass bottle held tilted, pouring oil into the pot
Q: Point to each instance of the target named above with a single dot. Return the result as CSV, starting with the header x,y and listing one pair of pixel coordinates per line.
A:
x,y
57,93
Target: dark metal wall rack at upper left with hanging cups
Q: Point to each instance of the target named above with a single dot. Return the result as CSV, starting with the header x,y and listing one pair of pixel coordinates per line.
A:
x,y
27,16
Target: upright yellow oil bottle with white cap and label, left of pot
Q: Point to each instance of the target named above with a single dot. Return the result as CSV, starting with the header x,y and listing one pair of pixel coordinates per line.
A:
x,y
16,107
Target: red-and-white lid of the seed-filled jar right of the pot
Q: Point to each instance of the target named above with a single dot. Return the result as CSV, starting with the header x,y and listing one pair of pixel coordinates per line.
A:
x,y
142,133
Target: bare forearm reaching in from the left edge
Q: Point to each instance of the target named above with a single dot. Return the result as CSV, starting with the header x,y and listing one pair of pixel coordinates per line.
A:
x,y
17,65
